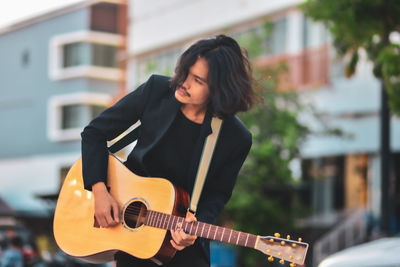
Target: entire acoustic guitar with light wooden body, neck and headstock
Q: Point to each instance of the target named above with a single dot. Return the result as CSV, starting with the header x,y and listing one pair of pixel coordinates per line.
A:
x,y
149,207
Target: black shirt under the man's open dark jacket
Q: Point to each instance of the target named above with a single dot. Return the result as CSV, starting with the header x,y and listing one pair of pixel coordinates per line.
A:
x,y
172,156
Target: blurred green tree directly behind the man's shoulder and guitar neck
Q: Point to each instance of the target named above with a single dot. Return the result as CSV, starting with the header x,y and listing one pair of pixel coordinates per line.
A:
x,y
255,206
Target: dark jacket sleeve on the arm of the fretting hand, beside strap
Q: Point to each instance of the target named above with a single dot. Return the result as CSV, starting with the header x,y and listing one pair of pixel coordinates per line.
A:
x,y
219,192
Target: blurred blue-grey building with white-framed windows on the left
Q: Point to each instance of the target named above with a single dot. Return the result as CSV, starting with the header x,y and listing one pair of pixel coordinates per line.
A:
x,y
58,71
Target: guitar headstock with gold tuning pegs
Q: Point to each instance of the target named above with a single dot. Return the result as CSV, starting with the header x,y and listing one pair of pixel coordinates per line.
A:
x,y
284,249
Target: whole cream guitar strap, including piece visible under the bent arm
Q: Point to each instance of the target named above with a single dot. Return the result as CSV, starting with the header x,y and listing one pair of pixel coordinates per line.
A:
x,y
204,164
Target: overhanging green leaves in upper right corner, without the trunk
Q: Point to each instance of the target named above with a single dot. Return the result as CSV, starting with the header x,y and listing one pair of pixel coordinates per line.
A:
x,y
365,24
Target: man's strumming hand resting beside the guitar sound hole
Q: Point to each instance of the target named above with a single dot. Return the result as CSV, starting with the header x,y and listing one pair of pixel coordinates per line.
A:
x,y
106,209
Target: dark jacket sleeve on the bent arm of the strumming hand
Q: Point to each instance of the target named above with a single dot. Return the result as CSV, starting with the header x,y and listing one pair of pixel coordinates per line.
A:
x,y
108,125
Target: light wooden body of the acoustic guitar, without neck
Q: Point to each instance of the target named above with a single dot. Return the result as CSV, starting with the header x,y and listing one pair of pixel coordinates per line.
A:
x,y
77,233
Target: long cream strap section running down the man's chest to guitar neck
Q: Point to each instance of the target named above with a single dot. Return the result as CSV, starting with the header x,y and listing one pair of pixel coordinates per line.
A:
x,y
205,159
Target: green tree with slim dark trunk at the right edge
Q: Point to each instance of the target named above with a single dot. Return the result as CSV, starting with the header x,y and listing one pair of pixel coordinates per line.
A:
x,y
369,25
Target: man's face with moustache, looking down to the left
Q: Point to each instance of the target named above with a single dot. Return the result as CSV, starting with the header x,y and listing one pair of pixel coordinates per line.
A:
x,y
194,91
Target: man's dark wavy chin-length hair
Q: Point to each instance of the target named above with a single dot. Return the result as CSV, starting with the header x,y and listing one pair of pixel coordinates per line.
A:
x,y
229,78
